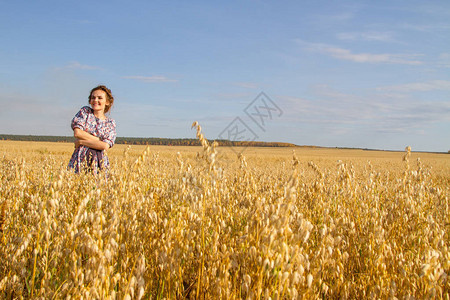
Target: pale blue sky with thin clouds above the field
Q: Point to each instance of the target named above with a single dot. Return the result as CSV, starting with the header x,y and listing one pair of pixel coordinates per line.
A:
x,y
369,74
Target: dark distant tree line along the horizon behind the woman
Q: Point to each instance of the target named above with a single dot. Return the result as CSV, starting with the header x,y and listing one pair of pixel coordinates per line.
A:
x,y
144,141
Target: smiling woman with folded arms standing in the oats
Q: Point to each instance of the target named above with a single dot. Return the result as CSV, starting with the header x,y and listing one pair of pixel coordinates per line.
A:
x,y
94,132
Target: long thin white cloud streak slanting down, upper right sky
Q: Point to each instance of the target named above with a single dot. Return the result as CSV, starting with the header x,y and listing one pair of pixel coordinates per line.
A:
x,y
345,54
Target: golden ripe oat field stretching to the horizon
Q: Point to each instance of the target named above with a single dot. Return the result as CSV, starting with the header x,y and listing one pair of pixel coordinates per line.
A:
x,y
205,223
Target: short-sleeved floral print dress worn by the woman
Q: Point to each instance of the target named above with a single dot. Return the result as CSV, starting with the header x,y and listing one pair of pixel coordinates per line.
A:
x,y
104,129
